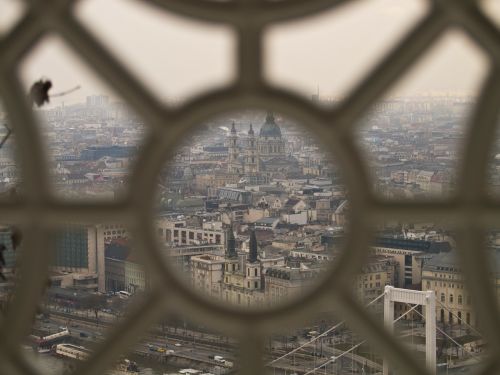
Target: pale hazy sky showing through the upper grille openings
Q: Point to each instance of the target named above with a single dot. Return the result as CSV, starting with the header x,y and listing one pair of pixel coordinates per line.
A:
x,y
177,57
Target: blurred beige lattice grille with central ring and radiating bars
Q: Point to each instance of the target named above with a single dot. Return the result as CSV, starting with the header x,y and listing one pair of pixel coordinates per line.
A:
x,y
471,212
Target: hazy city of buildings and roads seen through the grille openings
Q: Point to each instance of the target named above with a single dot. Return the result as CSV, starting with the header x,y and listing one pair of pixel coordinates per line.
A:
x,y
251,211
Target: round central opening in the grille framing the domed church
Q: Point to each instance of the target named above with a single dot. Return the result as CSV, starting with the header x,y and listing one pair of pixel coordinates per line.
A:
x,y
251,210
